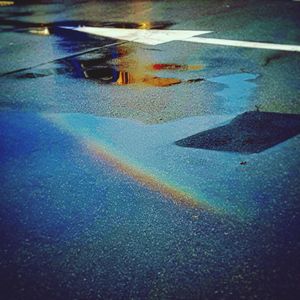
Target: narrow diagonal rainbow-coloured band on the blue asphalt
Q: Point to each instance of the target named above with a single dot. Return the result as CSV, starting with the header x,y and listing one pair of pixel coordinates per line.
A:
x,y
105,152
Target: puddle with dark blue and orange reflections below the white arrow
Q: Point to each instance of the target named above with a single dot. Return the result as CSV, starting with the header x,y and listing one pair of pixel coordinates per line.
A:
x,y
104,71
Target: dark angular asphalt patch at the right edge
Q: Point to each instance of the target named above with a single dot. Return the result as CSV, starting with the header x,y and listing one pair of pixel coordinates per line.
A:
x,y
250,132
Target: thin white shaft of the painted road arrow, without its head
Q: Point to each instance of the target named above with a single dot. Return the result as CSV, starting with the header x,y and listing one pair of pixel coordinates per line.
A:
x,y
244,44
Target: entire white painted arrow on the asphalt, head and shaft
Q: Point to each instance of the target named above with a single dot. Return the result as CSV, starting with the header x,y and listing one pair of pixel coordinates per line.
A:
x,y
156,37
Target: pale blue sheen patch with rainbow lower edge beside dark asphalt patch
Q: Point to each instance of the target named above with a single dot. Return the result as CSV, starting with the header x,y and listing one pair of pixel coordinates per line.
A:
x,y
147,155
